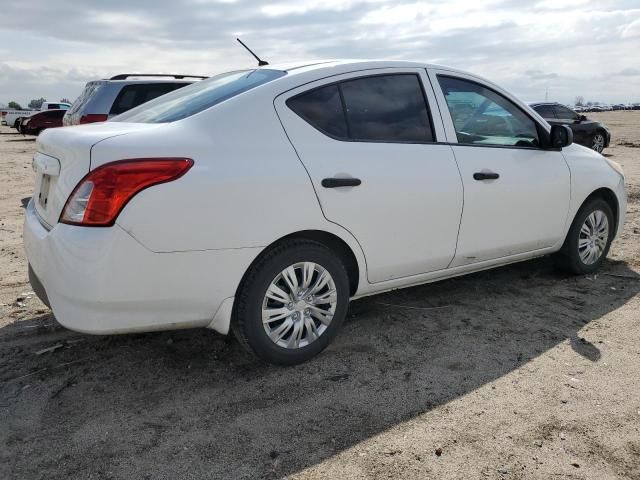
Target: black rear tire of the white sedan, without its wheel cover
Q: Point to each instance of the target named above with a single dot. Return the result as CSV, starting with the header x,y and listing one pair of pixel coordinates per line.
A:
x,y
247,322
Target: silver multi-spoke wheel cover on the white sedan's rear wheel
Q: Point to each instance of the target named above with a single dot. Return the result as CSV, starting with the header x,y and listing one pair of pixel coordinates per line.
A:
x,y
299,305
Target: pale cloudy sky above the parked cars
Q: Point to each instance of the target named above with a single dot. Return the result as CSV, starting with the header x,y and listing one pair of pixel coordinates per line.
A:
x,y
537,49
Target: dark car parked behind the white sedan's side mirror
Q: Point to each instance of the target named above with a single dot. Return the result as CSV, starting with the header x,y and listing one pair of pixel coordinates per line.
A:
x,y
587,132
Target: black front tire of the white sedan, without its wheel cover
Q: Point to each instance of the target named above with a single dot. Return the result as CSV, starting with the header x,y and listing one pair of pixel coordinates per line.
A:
x,y
568,258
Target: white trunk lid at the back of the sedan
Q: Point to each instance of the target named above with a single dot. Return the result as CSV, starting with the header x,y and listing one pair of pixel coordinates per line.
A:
x,y
63,158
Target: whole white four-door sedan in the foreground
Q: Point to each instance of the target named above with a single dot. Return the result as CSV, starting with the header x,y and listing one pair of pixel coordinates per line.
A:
x,y
262,200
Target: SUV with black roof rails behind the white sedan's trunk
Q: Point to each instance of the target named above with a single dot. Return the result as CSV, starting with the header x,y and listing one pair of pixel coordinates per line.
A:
x,y
103,99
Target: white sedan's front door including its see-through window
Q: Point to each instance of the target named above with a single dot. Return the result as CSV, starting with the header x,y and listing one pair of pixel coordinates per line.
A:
x,y
516,195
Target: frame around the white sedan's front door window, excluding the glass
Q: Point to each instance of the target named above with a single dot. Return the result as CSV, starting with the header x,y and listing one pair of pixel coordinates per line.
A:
x,y
450,133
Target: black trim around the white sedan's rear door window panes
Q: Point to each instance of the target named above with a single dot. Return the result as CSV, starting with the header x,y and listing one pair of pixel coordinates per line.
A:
x,y
370,75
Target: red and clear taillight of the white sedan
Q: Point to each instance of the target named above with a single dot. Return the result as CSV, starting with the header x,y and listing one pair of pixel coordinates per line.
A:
x,y
102,194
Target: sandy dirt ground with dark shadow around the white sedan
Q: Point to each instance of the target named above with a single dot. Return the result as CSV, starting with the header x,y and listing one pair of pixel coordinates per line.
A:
x,y
521,372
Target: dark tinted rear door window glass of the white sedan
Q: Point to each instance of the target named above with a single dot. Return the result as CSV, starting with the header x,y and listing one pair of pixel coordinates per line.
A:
x,y
380,108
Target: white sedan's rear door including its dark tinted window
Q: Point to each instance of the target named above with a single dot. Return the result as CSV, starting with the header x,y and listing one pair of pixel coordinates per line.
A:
x,y
368,141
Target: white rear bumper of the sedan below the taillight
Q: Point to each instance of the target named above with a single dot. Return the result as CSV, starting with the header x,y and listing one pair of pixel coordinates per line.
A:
x,y
103,281
